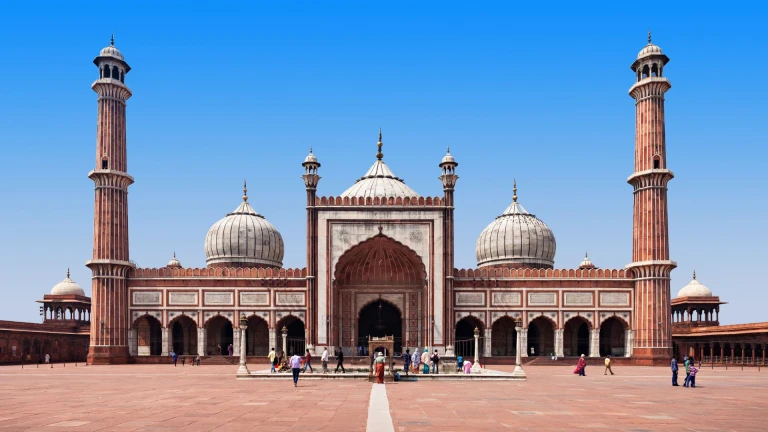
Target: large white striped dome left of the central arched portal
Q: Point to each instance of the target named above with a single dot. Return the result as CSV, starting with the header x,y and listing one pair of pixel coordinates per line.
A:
x,y
244,238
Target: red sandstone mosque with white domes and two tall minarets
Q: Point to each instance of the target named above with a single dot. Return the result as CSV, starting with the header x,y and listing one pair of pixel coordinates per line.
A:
x,y
380,261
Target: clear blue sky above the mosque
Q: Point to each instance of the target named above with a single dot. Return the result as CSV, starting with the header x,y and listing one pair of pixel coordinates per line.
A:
x,y
517,89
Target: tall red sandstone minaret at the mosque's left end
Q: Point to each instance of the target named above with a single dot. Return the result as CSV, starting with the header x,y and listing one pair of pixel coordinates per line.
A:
x,y
110,263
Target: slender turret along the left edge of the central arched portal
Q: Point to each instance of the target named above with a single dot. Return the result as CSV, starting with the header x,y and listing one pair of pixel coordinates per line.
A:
x,y
311,179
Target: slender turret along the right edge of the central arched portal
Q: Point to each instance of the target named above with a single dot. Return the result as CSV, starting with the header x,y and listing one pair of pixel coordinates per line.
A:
x,y
448,167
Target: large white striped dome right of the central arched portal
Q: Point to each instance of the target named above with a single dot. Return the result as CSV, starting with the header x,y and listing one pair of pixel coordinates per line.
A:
x,y
516,239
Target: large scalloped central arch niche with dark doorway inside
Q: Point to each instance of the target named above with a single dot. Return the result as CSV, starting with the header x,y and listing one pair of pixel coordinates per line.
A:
x,y
379,271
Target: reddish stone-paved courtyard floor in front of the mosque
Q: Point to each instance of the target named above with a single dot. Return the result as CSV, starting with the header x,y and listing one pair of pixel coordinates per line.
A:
x,y
163,398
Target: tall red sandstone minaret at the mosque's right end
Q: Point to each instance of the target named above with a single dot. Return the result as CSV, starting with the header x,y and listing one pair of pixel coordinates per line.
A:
x,y
652,338
